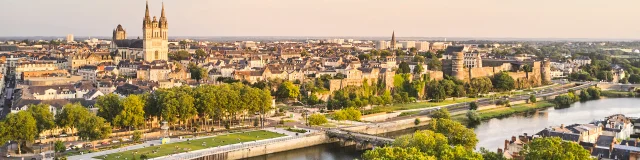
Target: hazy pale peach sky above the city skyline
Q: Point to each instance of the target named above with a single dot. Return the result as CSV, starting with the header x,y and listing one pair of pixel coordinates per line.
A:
x,y
409,18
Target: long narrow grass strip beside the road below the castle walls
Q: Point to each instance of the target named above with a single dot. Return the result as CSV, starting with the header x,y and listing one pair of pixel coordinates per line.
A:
x,y
397,107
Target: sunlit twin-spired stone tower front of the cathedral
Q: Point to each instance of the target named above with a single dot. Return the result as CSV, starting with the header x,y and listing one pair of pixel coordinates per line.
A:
x,y
155,44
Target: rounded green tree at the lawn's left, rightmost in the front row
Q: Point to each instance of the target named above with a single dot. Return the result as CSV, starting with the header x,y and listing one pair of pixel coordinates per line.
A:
x,y
94,128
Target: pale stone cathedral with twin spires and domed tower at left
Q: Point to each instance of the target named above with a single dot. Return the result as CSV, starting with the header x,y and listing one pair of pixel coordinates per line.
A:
x,y
154,44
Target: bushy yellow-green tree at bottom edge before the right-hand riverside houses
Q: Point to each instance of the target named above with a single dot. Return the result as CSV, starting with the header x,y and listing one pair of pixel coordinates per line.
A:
x,y
553,148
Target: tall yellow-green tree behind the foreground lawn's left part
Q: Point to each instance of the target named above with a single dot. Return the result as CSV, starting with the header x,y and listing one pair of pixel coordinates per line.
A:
x,y
132,115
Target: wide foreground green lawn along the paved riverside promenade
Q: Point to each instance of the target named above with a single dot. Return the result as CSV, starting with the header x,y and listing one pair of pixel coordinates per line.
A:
x,y
166,149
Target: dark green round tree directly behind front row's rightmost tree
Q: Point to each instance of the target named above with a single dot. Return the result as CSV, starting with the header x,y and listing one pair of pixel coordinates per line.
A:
x,y
109,106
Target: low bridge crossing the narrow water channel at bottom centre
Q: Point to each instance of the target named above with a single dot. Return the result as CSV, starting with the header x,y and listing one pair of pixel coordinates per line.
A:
x,y
362,141
